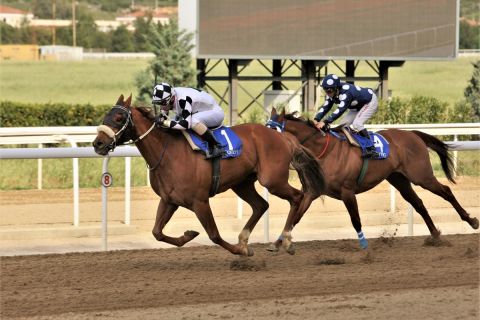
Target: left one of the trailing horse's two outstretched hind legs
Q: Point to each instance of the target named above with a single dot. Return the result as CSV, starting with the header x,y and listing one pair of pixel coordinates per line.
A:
x,y
403,185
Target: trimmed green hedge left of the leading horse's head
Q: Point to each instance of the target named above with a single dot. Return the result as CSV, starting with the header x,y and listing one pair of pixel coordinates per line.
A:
x,y
15,114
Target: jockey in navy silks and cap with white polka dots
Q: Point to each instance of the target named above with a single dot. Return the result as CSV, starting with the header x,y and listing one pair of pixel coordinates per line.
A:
x,y
362,104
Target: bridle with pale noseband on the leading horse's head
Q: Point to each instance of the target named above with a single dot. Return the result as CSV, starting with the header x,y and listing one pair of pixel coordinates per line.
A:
x,y
127,126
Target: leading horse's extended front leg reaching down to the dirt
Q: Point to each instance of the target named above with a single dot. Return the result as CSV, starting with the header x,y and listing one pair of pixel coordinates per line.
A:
x,y
204,214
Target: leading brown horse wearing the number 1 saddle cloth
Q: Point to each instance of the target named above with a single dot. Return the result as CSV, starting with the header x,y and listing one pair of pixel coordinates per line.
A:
x,y
182,177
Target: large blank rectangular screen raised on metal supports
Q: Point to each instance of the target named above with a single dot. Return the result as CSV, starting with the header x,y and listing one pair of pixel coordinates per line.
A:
x,y
327,29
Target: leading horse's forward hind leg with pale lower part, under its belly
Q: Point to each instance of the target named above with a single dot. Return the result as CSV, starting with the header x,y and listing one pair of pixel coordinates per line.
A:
x,y
247,192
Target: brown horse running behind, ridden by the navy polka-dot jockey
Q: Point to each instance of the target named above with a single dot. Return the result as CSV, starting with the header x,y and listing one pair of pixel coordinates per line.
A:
x,y
409,162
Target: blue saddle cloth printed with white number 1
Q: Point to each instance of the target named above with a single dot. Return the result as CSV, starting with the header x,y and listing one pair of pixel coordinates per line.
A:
x,y
231,143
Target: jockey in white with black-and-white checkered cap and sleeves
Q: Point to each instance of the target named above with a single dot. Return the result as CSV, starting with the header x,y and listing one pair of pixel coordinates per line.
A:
x,y
195,109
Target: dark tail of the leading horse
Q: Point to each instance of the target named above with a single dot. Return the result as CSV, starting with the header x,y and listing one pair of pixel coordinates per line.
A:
x,y
309,171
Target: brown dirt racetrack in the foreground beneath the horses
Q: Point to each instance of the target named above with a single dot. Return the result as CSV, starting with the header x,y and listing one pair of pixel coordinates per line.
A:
x,y
398,278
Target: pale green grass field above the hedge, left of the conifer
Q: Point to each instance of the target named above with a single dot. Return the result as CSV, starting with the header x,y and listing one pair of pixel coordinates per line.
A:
x,y
95,82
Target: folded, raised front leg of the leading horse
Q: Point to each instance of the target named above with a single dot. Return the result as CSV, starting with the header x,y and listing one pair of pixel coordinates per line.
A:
x,y
164,212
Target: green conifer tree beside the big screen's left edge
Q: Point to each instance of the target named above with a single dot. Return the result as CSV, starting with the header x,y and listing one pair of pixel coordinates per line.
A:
x,y
172,62
